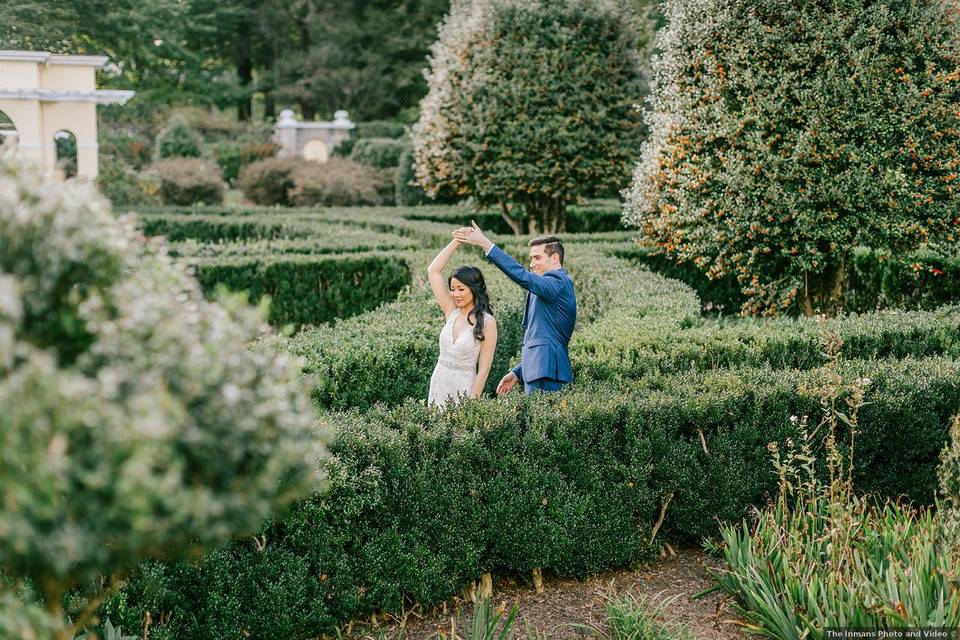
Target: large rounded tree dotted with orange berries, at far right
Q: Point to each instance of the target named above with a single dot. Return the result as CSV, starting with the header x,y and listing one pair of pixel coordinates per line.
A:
x,y
785,134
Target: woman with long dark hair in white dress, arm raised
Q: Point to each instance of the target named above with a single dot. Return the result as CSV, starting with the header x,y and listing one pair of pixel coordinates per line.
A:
x,y
469,337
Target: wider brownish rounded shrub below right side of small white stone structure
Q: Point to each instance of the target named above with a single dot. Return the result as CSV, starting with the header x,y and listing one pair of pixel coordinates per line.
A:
x,y
337,182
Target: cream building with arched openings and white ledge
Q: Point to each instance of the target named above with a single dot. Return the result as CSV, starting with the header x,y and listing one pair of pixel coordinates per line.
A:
x,y
45,95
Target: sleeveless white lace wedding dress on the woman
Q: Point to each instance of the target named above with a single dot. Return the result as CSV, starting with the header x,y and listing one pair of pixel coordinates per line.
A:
x,y
456,368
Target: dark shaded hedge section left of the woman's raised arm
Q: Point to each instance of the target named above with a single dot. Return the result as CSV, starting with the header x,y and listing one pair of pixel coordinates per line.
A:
x,y
308,290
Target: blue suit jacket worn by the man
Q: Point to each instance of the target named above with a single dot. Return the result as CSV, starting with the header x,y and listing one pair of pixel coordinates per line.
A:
x,y
548,319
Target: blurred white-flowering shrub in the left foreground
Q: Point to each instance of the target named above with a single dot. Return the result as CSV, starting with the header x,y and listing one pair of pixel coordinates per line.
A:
x,y
135,421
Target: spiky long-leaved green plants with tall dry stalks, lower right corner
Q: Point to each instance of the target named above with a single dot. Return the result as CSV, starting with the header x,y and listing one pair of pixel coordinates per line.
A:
x,y
820,556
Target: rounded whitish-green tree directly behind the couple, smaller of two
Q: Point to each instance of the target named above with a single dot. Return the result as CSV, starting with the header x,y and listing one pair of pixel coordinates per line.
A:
x,y
531,106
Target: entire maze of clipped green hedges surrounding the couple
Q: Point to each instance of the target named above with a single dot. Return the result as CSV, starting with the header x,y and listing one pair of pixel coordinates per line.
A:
x,y
669,417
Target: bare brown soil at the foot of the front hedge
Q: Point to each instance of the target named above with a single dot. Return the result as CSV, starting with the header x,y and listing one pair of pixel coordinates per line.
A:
x,y
566,603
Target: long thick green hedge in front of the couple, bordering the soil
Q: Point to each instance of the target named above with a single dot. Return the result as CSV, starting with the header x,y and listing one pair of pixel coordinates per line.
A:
x,y
421,502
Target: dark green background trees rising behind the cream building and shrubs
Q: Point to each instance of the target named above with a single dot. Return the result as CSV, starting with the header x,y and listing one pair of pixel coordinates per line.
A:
x,y
366,58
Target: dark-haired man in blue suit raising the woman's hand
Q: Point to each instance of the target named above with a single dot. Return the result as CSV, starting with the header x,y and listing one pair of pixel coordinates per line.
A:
x,y
549,315
